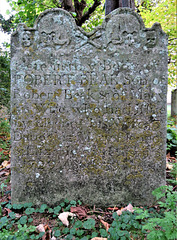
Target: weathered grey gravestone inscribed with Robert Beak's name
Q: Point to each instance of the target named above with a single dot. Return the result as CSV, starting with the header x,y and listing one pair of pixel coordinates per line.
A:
x,y
88,110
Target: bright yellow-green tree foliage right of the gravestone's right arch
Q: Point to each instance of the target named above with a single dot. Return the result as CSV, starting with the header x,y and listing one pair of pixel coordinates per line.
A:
x,y
164,13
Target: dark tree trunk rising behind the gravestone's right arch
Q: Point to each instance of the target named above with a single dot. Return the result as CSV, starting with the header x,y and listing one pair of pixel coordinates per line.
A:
x,y
113,4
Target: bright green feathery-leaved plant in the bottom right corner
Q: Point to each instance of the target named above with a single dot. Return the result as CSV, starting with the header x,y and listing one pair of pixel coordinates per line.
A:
x,y
163,226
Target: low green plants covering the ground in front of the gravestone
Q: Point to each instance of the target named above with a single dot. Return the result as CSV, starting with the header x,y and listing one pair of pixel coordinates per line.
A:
x,y
142,224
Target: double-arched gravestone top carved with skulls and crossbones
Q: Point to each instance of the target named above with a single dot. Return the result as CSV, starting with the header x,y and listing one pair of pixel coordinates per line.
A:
x,y
56,29
